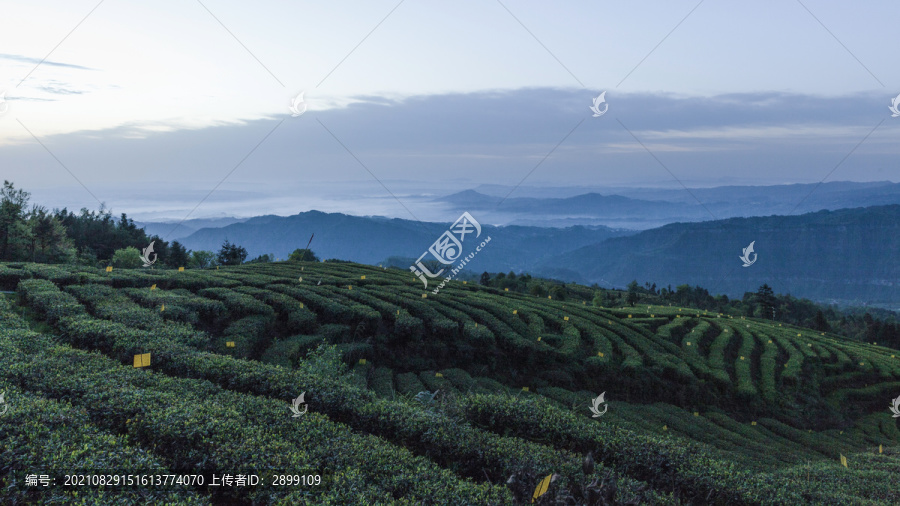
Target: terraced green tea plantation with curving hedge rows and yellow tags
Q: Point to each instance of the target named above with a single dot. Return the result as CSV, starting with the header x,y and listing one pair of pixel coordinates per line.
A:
x,y
701,408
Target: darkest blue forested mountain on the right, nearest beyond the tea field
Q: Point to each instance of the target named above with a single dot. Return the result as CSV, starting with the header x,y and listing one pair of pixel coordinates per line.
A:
x,y
844,255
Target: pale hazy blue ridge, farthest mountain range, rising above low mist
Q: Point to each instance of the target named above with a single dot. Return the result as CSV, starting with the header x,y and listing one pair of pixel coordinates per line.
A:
x,y
645,208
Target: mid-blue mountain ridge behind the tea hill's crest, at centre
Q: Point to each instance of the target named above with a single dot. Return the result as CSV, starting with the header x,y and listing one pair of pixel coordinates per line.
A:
x,y
374,239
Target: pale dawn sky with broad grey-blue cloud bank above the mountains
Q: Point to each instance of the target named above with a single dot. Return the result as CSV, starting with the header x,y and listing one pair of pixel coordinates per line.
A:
x,y
181,109
